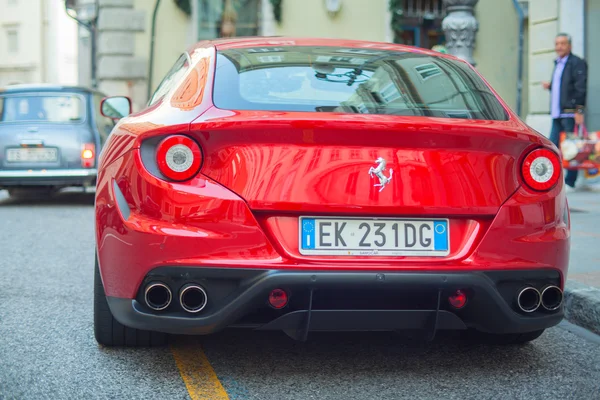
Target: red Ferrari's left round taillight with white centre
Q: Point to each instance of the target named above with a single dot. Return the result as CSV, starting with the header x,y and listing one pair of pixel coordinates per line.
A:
x,y
178,157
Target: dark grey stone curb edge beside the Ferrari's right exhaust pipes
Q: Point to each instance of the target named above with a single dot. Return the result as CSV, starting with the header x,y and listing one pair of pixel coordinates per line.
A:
x,y
582,305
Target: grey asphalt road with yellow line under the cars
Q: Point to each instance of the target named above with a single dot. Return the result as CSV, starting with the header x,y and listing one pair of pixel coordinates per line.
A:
x,y
47,348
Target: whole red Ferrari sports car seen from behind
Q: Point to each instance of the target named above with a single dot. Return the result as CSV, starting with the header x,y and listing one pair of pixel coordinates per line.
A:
x,y
306,185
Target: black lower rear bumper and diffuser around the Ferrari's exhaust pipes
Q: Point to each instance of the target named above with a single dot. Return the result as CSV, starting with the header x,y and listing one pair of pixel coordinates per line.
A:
x,y
341,301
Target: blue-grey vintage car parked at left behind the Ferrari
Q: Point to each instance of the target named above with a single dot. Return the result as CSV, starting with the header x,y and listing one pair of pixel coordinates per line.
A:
x,y
50,137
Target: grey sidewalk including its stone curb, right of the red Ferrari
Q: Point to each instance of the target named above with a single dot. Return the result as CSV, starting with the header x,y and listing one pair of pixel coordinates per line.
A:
x,y
582,290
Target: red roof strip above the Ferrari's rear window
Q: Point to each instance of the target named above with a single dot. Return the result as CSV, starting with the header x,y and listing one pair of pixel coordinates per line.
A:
x,y
264,41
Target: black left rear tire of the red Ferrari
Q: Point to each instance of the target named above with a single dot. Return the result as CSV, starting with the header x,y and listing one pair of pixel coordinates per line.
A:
x,y
110,332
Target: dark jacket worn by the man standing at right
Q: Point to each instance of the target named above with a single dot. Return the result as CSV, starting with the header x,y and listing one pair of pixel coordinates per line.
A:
x,y
573,84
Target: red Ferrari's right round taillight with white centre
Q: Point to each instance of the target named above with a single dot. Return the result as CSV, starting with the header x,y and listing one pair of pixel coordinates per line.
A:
x,y
541,169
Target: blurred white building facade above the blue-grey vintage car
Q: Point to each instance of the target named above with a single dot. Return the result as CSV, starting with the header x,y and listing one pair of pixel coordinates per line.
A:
x,y
38,43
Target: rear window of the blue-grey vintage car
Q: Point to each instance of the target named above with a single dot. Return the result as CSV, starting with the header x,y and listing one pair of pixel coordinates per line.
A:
x,y
42,108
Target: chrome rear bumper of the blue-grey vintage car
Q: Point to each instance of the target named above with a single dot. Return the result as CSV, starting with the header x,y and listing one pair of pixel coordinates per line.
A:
x,y
47,177
